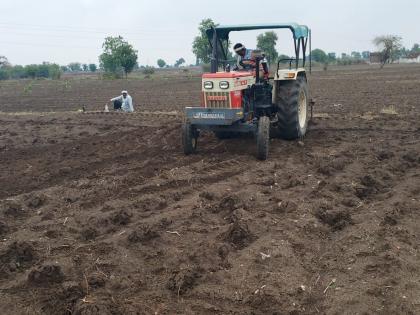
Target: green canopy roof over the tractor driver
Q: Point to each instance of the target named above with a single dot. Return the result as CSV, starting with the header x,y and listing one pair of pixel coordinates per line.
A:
x,y
299,31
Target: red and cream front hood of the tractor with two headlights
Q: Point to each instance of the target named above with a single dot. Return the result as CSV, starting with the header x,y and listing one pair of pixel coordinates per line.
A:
x,y
225,89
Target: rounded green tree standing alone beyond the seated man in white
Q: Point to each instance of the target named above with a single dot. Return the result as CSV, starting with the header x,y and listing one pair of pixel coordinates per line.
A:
x,y
118,54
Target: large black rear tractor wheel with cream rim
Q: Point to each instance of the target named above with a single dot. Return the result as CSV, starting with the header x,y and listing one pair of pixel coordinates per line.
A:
x,y
292,104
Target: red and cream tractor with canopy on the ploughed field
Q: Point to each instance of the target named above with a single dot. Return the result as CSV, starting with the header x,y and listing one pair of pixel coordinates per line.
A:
x,y
241,101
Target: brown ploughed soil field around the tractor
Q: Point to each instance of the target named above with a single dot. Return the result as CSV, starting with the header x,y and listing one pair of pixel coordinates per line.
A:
x,y
103,214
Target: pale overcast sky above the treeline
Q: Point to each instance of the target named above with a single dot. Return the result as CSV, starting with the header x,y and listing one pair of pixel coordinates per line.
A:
x,y
64,31
